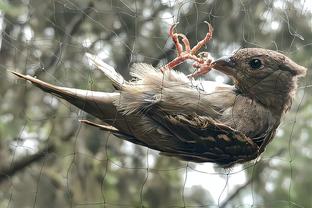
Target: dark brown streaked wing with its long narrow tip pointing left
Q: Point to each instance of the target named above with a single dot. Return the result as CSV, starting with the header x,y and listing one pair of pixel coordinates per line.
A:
x,y
192,138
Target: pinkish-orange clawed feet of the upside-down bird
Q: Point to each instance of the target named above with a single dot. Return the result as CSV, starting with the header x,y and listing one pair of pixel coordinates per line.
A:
x,y
202,60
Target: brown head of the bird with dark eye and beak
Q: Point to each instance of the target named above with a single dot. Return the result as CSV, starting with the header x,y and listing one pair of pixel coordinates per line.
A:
x,y
263,75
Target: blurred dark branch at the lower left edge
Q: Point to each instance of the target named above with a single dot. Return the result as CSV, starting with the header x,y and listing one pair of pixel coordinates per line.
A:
x,y
7,172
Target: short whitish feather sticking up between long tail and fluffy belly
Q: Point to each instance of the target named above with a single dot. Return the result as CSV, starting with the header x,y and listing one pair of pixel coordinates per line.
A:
x,y
109,71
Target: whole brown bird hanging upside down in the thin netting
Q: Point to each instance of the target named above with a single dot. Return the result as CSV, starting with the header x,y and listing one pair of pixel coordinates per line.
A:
x,y
199,121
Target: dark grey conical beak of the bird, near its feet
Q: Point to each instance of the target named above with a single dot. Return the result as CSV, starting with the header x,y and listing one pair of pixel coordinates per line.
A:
x,y
226,65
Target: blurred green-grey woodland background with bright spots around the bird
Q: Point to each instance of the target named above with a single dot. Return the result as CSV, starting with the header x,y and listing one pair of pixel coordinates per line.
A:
x,y
49,159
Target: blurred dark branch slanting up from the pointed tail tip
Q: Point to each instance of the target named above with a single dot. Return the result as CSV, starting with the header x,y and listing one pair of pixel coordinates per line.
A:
x,y
70,30
